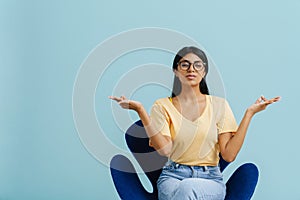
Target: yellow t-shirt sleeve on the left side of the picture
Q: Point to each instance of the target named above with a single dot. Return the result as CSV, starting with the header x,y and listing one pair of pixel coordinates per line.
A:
x,y
160,120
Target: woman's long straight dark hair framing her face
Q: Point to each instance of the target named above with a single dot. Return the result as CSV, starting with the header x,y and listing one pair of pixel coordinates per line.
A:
x,y
181,53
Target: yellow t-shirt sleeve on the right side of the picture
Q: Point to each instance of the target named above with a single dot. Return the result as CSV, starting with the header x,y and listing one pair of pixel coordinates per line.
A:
x,y
226,122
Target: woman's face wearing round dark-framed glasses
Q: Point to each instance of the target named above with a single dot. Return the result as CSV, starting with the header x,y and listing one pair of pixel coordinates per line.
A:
x,y
190,70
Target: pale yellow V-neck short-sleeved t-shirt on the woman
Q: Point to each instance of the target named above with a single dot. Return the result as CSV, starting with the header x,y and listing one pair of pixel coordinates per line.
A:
x,y
194,142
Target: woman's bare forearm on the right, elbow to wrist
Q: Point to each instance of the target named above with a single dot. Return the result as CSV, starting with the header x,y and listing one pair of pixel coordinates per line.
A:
x,y
235,143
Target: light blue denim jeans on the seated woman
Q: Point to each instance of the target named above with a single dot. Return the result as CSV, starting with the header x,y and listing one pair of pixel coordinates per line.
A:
x,y
180,182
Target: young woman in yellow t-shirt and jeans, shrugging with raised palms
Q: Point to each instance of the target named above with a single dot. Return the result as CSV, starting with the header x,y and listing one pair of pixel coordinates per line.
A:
x,y
191,128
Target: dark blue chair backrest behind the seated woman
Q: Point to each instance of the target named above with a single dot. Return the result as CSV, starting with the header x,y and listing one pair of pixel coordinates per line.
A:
x,y
150,161
